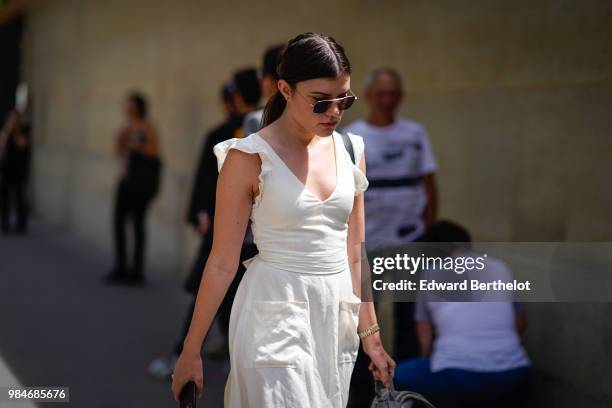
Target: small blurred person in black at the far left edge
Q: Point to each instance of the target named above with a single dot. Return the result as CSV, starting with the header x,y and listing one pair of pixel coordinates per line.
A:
x,y
14,168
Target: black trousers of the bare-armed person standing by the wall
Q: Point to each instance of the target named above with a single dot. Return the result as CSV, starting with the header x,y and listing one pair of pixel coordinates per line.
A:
x,y
131,205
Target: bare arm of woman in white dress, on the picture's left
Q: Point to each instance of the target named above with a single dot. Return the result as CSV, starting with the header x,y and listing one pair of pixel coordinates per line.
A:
x,y
233,206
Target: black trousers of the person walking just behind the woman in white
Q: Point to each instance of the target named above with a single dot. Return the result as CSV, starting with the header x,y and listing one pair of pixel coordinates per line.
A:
x,y
224,312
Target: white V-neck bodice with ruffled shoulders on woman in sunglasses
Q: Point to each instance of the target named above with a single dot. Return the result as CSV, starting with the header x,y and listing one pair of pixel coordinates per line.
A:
x,y
292,228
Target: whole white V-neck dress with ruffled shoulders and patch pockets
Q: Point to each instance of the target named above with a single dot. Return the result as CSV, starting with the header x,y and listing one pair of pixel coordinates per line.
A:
x,y
293,327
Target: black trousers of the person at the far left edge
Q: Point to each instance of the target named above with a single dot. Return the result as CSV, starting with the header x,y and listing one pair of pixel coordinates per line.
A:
x,y
12,193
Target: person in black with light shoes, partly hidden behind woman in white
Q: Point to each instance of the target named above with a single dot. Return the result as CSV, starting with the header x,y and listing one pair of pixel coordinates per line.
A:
x,y
200,215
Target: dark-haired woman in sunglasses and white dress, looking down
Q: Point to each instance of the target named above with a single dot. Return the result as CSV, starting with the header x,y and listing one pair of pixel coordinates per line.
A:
x,y
295,319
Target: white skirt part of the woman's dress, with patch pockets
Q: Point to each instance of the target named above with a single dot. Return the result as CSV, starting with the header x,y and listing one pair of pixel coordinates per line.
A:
x,y
293,339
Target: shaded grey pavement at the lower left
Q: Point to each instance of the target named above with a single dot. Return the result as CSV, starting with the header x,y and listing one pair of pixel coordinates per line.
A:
x,y
62,327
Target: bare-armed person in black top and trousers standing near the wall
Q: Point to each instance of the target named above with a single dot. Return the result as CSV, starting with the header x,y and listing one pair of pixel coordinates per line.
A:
x,y
137,145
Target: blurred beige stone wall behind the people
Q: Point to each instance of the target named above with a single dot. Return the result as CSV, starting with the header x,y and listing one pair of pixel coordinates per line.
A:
x,y
516,96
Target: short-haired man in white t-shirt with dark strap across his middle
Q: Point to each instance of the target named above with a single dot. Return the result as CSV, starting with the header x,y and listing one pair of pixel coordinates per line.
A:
x,y
401,199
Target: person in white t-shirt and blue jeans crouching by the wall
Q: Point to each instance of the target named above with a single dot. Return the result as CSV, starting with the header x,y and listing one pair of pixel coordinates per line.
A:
x,y
471,351
